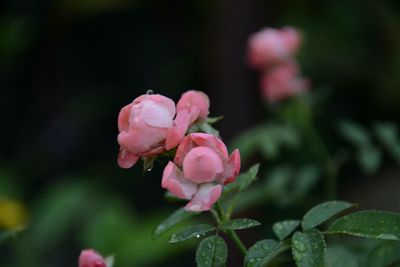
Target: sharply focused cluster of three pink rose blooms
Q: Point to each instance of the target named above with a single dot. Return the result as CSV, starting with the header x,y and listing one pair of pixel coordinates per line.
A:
x,y
152,124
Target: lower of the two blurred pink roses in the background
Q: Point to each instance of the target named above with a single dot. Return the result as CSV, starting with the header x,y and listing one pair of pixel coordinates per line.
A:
x,y
282,82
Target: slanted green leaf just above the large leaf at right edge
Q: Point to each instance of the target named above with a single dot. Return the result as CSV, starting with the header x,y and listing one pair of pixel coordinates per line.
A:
x,y
323,212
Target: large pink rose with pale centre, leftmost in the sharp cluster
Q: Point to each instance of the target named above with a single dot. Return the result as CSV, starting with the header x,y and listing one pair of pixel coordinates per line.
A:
x,y
147,128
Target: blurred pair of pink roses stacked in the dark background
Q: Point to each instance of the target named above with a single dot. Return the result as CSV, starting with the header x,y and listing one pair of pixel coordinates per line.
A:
x,y
272,52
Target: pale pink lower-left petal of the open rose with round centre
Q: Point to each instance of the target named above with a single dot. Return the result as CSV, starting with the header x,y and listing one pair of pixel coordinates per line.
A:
x,y
176,184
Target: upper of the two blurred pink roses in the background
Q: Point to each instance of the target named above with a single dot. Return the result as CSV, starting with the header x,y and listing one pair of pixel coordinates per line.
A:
x,y
270,46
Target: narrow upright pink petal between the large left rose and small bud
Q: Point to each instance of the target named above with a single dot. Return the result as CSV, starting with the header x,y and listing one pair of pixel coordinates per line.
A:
x,y
177,132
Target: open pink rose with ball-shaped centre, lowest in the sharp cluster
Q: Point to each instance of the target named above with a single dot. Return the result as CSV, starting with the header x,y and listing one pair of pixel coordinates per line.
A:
x,y
200,169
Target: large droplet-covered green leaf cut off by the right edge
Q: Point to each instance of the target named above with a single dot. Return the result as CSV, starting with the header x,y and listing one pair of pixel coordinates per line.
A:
x,y
370,224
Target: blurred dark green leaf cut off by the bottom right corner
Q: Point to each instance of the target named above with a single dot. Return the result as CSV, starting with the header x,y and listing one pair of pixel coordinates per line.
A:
x,y
384,254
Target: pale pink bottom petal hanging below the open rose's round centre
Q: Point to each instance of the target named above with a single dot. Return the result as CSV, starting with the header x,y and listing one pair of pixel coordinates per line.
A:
x,y
205,197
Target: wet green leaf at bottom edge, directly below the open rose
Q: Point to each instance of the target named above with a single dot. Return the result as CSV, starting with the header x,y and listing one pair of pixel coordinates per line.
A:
x,y
212,252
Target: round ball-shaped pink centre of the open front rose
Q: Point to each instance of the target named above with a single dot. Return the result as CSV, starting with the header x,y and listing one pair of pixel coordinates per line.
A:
x,y
201,165
